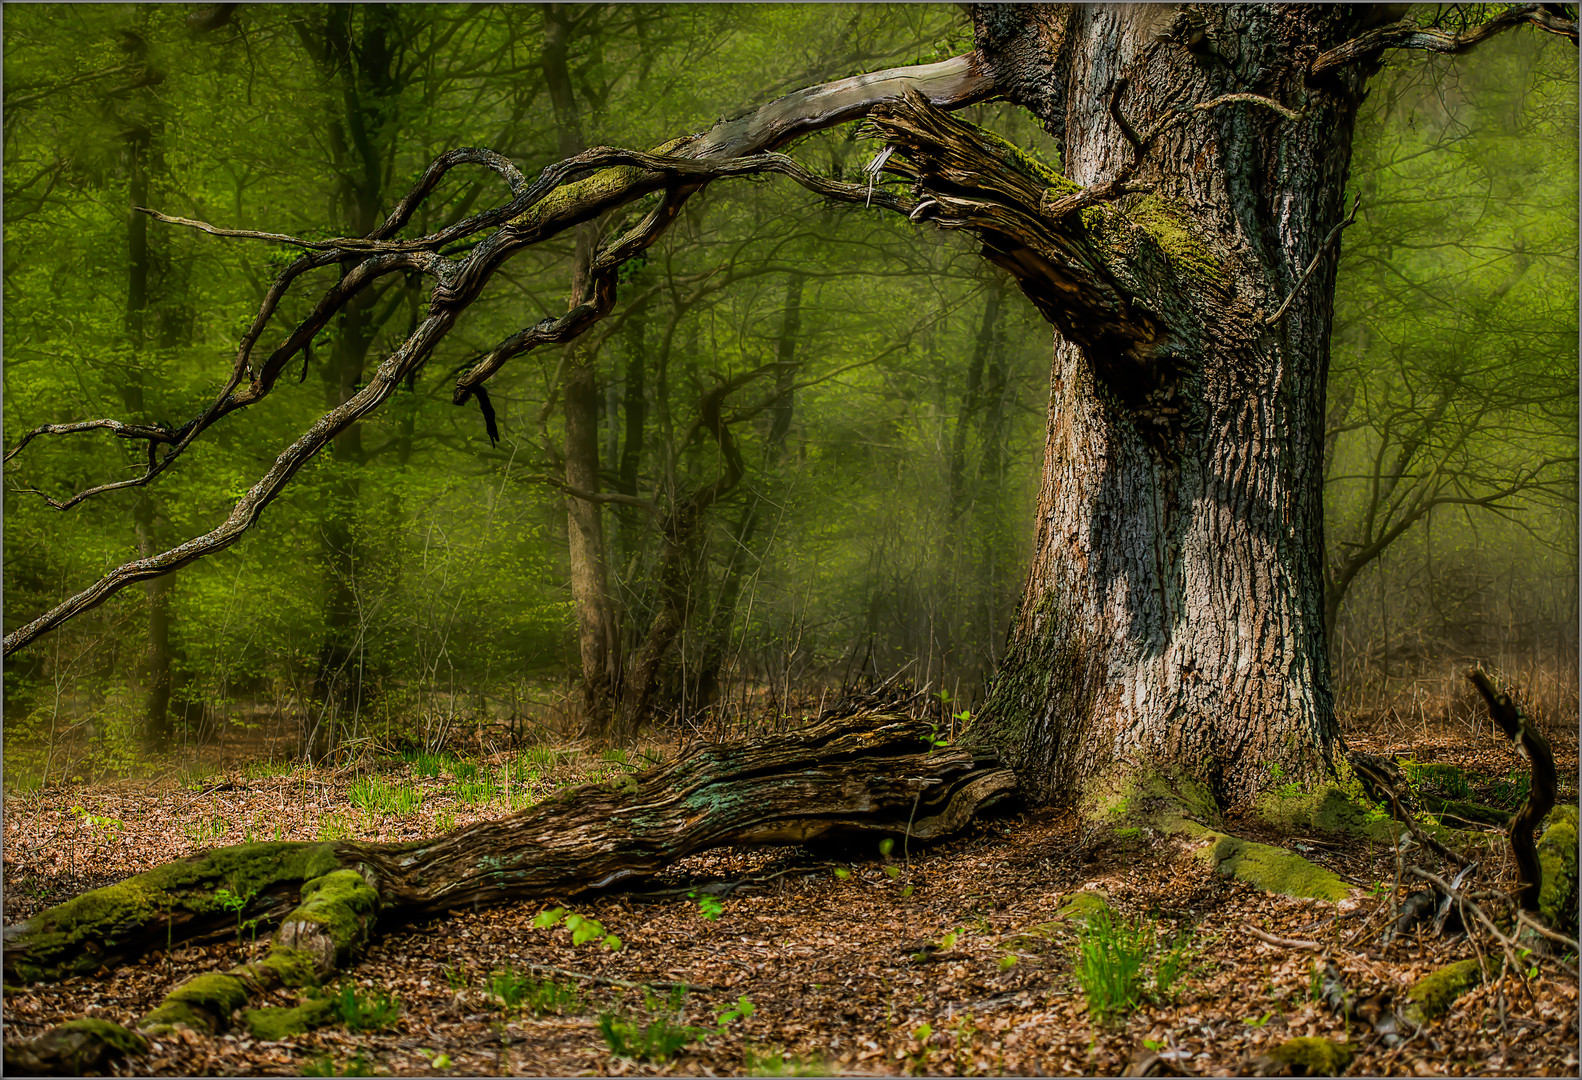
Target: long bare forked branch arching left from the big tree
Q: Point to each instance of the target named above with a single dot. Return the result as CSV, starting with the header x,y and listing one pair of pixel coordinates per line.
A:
x,y
540,211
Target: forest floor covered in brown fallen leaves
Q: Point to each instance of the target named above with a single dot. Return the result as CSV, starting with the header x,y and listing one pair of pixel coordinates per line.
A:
x,y
853,962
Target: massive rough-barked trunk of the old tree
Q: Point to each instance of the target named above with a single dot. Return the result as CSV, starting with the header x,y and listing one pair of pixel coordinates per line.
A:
x,y
1175,610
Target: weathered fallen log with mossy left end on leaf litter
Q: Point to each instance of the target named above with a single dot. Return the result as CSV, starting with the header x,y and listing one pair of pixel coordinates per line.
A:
x,y
871,774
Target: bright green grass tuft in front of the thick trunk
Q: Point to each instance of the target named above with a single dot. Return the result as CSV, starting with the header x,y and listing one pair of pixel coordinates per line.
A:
x,y
1116,959
